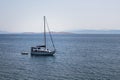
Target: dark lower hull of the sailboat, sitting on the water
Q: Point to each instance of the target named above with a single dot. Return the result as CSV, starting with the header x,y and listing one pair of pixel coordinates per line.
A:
x,y
43,53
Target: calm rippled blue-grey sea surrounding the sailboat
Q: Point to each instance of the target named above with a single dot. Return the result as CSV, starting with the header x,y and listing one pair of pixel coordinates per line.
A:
x,y
78,57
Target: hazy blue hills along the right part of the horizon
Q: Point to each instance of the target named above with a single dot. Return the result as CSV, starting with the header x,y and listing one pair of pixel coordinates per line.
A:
x,y
97,31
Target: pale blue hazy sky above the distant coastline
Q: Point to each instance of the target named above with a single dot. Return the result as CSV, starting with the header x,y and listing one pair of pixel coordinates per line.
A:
x,y
62,15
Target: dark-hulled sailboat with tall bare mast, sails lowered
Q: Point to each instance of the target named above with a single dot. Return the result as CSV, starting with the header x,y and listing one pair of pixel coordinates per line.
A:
x,y
42,50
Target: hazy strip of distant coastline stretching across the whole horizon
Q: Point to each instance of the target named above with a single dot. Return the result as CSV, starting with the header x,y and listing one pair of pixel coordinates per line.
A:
x,y
70,32
